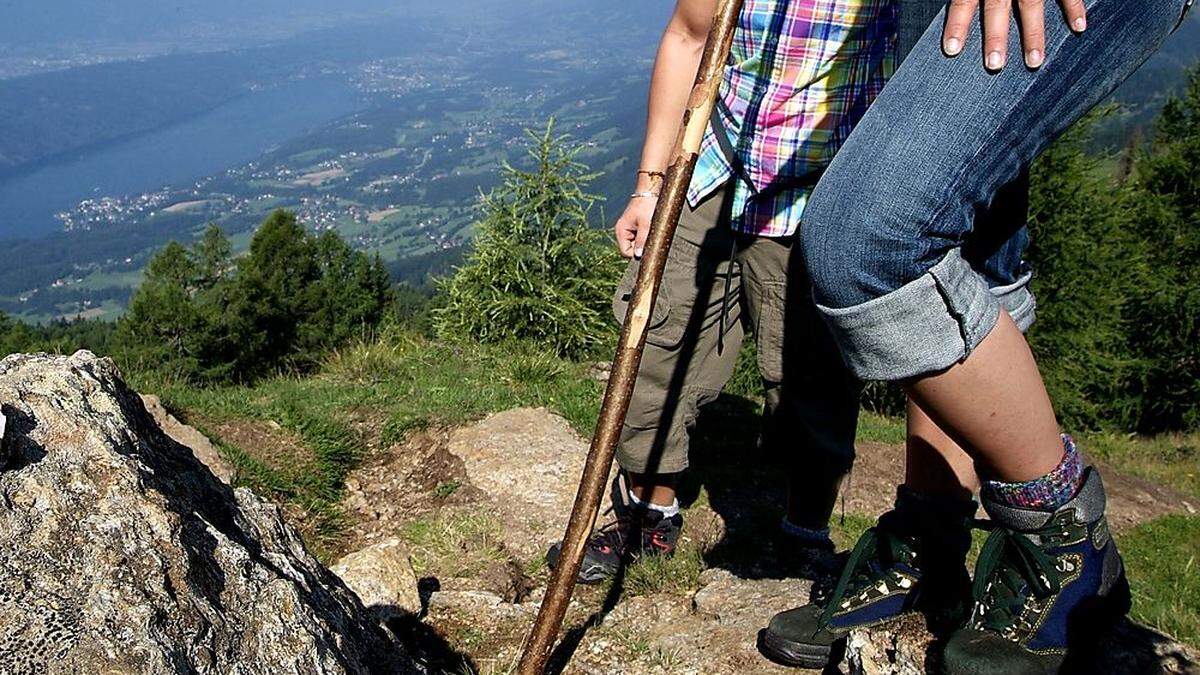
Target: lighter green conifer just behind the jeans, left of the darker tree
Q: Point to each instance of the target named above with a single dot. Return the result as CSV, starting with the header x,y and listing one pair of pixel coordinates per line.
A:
x,y
1084,260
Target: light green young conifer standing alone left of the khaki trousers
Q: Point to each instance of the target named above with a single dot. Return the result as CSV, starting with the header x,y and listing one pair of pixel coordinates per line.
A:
x,y
538,271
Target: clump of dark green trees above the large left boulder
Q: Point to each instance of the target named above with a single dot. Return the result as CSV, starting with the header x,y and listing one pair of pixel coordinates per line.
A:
x,y
202,315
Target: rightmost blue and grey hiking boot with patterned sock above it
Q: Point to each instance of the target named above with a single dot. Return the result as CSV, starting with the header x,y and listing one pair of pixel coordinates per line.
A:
x,y
1046,583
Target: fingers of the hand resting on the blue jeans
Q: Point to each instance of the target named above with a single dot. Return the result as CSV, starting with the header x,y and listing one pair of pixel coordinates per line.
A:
x,y
998,16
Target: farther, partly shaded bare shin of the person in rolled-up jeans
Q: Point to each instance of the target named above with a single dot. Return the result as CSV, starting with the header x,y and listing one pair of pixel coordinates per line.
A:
x,y
934,463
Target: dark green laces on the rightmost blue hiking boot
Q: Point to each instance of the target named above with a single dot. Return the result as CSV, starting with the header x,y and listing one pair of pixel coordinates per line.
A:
x,y
1011,569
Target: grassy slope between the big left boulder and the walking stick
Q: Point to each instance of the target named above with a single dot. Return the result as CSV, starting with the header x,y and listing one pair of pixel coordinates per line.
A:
x,y
375,393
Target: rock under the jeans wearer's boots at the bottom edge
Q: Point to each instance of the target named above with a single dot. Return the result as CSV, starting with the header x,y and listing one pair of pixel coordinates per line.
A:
x,y
901,649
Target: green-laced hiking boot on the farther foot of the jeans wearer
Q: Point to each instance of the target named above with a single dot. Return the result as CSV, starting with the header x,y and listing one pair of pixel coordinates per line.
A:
x,y
913,561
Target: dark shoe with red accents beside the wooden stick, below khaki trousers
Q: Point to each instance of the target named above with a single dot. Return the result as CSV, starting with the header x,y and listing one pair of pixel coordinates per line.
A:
x,y
634,533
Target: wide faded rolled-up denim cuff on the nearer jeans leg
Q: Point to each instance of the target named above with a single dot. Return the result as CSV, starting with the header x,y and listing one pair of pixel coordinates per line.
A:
x,y
923,327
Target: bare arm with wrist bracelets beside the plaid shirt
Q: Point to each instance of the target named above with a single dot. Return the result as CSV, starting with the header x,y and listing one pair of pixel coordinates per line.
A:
x,y
675,71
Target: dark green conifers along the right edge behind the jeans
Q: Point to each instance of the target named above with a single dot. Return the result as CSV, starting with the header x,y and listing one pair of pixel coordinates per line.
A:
x,y
1117,277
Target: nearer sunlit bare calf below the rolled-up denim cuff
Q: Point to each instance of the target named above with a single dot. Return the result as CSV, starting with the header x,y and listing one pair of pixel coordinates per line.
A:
x,y
997,408
